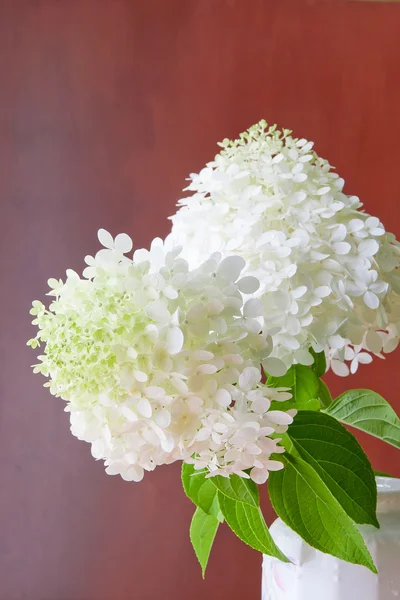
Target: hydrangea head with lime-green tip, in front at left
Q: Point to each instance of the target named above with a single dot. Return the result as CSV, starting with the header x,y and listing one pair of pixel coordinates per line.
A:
x,y
160,363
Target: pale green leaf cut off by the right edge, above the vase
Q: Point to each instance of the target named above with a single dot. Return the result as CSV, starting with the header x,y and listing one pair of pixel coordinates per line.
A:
x,y
369,412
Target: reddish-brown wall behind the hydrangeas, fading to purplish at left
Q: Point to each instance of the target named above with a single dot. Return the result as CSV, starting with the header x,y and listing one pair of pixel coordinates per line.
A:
x,y
105,107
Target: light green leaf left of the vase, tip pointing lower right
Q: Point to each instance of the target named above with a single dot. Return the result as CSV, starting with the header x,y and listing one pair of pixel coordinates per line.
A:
x,y
247,522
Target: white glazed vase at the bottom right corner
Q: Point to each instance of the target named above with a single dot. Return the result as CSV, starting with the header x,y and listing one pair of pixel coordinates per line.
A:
x,y
317,576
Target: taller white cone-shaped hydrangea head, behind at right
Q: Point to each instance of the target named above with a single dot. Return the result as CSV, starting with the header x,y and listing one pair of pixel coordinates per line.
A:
x,y
329,272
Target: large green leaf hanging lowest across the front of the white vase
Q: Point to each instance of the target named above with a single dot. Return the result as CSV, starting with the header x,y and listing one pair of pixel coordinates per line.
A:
x,y
303,501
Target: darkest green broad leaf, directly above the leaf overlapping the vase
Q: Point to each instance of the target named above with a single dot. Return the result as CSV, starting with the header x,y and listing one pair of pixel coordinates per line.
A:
x,y
337,457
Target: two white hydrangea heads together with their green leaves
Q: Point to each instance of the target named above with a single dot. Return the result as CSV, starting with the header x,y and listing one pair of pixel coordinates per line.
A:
x,y
210,347
